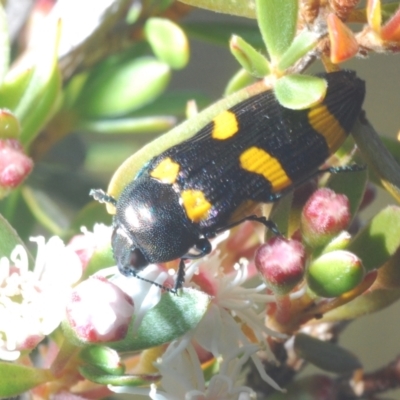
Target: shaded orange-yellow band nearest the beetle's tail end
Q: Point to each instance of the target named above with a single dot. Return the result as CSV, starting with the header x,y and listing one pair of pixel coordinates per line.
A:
x,y
327,125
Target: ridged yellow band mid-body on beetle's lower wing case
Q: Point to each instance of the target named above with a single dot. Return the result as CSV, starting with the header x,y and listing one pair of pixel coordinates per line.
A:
x,y
260,162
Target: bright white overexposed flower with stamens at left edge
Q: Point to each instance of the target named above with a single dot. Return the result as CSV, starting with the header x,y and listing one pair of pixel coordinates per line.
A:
x,y
32,302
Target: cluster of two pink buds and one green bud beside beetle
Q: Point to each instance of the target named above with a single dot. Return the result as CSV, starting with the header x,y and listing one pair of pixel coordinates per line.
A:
x,y
318,254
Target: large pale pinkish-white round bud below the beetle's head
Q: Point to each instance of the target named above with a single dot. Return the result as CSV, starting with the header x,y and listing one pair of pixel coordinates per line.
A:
x,y
99,311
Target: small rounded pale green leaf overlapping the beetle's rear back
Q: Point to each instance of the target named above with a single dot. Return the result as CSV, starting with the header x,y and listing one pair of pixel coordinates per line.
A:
x,y
298,92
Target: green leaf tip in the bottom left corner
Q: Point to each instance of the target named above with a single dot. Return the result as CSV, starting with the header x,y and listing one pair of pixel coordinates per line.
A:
x,y
17,379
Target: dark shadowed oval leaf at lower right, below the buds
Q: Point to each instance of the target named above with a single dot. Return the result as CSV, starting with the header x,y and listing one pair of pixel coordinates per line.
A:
x,y
325,355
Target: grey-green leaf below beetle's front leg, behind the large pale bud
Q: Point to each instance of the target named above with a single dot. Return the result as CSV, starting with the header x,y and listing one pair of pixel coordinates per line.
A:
x,y
172,317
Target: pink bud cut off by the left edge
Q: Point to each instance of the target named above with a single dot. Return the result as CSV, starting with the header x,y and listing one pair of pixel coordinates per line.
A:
x,y
15,165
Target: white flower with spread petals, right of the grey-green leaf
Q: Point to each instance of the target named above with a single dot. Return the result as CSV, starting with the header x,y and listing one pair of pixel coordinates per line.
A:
x,y
233,307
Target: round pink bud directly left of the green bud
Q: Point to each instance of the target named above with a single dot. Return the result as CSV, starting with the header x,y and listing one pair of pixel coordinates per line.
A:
x,y
280,263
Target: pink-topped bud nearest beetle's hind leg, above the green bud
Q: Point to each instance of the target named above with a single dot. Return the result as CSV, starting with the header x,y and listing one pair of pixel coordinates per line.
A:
x,y
325,215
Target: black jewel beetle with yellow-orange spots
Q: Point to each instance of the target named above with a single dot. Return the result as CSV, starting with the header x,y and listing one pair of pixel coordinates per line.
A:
x,y
251,153
